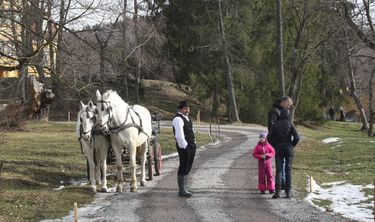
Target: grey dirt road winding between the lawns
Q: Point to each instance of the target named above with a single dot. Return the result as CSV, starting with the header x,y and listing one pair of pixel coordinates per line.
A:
x,y
224,181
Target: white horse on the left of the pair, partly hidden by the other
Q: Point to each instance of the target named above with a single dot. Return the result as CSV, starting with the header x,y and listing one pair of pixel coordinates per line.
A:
x,y
94,146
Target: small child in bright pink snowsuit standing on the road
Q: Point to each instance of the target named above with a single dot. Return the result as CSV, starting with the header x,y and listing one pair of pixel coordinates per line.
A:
x,y
263,151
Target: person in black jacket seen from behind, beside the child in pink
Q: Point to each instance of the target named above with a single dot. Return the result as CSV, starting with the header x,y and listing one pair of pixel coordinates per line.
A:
x,y
283,137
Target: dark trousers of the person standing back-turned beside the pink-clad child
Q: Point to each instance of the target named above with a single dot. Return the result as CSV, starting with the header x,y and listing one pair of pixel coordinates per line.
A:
x,y
284,154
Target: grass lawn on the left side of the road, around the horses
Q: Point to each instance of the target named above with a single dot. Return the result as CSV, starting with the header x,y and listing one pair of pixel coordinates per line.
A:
x,y
36,159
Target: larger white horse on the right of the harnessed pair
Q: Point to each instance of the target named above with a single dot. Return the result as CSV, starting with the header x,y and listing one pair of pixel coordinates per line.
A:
x,y
130,128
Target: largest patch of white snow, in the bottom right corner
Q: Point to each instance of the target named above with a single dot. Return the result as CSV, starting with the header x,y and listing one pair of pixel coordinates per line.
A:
x,y
346,199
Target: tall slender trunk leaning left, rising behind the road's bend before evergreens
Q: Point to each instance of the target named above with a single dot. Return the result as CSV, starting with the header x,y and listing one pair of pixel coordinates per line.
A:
x,y
233,112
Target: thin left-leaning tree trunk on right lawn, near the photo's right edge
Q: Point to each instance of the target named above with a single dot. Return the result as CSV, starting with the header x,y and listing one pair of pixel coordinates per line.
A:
x,y
352,86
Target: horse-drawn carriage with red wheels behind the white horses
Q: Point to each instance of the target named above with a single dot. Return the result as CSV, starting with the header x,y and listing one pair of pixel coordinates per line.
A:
x,y
154,153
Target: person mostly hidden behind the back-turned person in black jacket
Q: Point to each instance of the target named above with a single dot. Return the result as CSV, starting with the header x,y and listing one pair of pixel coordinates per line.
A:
x,y
284,102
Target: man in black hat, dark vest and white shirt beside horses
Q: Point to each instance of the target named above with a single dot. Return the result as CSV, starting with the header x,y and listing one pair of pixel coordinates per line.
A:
x,y
185,144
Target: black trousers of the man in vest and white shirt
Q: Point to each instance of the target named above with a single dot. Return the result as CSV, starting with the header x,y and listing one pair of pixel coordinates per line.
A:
x,y
186,157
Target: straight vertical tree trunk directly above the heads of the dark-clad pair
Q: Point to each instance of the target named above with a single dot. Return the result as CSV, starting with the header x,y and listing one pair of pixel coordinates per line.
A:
x,y
280,47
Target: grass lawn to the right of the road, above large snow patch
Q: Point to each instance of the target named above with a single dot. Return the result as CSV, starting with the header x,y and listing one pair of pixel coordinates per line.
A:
x,y
351,159
